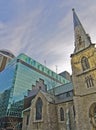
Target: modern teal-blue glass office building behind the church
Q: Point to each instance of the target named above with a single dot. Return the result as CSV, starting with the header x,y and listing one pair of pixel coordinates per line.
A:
x,y
20,75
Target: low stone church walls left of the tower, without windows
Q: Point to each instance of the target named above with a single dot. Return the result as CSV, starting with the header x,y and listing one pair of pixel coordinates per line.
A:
x,y
50,115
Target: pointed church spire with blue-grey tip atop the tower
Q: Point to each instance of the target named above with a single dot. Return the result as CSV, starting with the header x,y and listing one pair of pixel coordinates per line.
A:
x,y
82,40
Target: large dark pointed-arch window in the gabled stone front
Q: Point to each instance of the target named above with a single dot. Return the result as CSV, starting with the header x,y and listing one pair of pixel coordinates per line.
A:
x,y
39,105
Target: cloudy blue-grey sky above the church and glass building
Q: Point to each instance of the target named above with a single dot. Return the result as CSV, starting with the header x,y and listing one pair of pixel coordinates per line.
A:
x,y
43,29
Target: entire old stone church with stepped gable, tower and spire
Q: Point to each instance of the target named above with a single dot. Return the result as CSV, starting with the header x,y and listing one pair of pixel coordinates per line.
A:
x,y
71,106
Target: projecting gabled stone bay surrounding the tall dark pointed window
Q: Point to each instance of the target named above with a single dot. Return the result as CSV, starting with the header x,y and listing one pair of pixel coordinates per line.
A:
x,y
49,116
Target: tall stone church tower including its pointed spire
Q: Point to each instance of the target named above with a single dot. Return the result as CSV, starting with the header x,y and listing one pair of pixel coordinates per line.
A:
x,y
83,62
